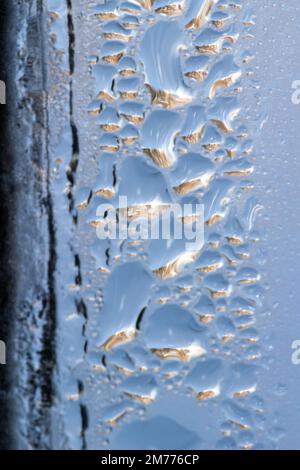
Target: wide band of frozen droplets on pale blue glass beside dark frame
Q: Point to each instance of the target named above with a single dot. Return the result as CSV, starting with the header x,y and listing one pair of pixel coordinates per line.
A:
x,y
158,346
